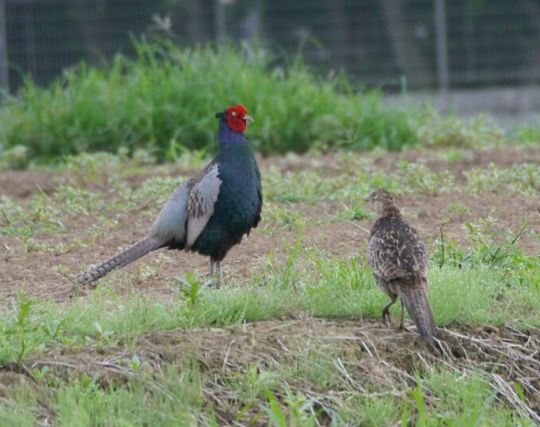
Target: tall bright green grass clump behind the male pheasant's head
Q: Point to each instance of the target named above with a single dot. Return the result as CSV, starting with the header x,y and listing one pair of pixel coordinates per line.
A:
x,y
165,98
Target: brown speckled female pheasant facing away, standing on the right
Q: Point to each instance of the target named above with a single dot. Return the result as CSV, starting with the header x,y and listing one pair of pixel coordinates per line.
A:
x,y
399,262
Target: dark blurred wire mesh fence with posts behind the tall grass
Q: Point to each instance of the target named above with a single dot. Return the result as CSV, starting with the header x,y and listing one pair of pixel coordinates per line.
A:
x,y
393,44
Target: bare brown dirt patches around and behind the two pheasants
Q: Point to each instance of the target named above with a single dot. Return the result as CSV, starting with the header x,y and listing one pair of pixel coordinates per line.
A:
x,y
50,275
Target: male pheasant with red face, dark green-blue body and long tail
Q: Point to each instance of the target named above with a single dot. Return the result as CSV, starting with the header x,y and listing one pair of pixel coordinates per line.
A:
x,y
211,212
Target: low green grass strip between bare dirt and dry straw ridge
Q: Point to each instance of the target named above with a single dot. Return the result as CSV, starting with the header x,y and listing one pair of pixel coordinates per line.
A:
x,y
320,286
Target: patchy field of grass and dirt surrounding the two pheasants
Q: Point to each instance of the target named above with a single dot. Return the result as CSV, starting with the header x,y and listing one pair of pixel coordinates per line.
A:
x,y
287,345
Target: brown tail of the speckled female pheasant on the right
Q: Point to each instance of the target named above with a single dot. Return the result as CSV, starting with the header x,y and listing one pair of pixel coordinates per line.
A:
x,y
415,300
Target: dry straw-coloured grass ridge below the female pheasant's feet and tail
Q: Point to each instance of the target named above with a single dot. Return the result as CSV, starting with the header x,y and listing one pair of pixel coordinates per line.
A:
x,y
365,358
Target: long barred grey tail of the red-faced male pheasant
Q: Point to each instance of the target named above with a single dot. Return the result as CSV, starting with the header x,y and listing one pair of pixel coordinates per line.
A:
x,y
128,255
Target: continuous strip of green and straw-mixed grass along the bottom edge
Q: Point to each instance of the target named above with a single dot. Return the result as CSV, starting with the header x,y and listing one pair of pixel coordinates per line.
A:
x,y
315,388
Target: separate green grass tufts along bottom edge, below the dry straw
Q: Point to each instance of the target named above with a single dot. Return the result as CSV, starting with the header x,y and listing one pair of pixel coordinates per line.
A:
x,y
178,401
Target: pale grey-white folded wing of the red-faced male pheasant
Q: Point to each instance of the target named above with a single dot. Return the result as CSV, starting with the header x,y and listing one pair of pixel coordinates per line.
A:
x,y
202,199
